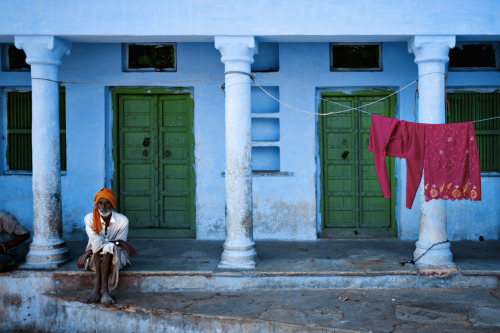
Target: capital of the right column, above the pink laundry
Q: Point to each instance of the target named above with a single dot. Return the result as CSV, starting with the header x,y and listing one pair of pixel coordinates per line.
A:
x,y
431,48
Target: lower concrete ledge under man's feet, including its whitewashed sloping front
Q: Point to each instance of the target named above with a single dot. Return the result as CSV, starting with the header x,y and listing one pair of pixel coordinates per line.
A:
x,y
346,311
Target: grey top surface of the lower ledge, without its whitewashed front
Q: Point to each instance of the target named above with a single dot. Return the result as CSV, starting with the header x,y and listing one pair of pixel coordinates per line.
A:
x,y
398,310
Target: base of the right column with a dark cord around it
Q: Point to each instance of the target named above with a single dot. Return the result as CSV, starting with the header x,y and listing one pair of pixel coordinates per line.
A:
x,y
439,256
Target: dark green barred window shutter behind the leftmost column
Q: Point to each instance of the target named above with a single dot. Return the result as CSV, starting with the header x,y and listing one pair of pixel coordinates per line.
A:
x,y
19,153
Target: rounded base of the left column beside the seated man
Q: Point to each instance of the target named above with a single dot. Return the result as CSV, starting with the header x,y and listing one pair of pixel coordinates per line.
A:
x,y
46,257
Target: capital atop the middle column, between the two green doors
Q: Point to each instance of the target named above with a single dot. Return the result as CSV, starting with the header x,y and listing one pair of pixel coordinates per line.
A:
x,y
236,48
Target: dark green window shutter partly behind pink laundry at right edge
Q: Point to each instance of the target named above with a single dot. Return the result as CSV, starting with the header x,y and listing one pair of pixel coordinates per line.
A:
x,y
465,106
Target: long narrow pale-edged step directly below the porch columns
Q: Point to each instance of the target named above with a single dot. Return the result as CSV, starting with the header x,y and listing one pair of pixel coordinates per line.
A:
x,y
253,280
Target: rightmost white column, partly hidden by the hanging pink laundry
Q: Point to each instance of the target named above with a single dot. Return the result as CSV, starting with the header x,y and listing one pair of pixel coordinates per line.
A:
x,y
431,55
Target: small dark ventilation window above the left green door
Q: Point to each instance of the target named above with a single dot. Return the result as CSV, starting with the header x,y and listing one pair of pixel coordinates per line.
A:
x,y
150,57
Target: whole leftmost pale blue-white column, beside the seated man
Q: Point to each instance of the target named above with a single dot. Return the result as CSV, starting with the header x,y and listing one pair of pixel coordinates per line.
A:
x,y
44,53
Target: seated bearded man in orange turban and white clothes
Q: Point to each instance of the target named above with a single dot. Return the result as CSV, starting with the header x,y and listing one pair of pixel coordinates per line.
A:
x,y
107,248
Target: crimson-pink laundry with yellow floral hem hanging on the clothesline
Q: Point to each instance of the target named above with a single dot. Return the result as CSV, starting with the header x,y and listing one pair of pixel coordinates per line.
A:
x,y
447,152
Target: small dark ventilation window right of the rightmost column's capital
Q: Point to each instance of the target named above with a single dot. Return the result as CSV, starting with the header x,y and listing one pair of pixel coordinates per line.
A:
x,y
474,56
